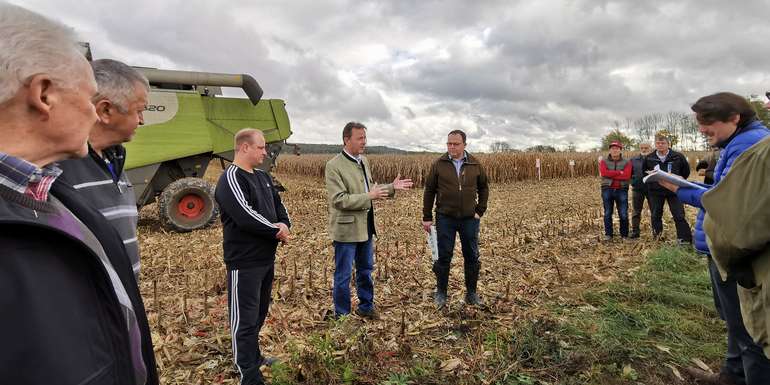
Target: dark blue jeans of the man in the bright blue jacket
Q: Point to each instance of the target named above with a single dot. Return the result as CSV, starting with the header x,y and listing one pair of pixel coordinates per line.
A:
x,y
745,361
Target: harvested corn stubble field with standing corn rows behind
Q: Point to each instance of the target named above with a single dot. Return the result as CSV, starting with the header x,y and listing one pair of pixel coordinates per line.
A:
x,y
539,245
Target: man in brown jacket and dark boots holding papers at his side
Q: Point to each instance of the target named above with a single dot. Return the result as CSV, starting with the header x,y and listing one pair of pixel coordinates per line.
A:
x,y
458,185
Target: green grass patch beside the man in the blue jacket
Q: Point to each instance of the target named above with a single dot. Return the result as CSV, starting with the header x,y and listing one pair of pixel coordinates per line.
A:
x,y
662,314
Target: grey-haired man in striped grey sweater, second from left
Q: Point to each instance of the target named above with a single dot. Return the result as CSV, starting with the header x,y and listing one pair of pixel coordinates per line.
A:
x,y
100,177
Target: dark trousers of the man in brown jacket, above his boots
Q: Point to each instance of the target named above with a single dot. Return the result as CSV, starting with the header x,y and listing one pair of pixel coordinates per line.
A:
x,y
446,230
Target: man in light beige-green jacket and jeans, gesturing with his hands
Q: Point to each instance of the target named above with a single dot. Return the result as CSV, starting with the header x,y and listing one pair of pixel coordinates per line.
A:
x,y
351,191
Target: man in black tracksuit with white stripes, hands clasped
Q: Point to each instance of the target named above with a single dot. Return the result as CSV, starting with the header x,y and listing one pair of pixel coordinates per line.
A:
x,y
254,221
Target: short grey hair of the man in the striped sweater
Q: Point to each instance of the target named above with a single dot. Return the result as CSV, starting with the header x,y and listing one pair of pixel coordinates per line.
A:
x,y
116,82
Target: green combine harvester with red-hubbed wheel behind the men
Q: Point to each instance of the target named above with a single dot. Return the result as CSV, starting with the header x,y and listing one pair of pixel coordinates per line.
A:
x,y
186,125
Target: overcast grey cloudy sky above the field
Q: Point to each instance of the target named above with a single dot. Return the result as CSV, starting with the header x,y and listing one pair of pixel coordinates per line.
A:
x,y
526,72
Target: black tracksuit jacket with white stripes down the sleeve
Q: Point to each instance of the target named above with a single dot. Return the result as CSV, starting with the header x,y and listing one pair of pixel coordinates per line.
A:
x,y
249,206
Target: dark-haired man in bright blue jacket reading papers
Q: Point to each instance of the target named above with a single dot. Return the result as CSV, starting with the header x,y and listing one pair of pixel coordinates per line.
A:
x,y
731,124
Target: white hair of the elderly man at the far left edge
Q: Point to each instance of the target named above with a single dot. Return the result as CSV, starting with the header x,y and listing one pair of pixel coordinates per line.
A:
x,y
31,44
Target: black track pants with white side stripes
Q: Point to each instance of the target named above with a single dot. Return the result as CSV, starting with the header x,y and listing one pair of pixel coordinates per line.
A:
x,y
248,292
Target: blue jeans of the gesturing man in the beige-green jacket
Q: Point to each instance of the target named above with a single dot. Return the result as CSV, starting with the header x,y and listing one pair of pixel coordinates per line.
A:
x,y
345,254
